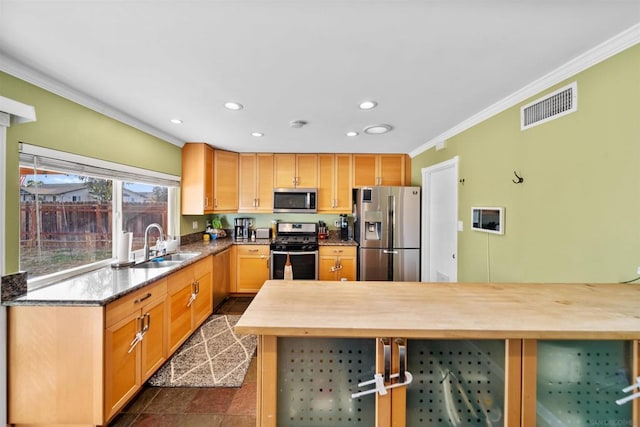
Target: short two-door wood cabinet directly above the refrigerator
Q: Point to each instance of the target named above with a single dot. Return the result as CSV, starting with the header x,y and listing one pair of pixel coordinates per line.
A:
x,y
381,169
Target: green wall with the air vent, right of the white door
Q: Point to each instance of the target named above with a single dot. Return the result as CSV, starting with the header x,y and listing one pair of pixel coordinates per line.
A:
x,y
576,217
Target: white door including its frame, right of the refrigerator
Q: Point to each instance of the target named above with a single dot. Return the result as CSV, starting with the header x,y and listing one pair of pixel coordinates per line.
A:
x,y
440,222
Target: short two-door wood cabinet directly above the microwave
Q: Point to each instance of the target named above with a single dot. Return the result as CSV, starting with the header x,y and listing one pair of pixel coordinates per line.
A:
x,y
295,170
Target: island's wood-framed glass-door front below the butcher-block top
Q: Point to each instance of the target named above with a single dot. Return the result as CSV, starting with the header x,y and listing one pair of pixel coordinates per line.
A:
x,y
447,383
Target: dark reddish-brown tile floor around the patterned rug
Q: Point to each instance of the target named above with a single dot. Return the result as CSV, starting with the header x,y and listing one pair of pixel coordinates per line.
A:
x,y
195,407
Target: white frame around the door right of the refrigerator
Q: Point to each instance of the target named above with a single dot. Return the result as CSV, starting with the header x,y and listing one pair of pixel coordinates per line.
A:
x,y
427,242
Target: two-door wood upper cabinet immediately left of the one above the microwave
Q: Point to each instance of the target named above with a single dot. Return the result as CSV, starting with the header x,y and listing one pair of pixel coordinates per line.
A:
x,y
256,182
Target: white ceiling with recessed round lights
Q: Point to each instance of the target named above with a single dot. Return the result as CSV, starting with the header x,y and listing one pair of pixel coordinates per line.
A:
x,y
430,64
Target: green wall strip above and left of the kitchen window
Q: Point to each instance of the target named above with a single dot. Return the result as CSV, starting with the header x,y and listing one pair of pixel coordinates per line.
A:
x,y
66,126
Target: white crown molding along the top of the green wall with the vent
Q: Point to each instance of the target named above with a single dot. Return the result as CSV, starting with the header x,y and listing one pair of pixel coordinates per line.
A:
x,y
599,53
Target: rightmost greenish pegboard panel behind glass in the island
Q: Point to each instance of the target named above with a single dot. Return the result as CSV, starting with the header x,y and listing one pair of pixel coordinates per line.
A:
x,y
578,383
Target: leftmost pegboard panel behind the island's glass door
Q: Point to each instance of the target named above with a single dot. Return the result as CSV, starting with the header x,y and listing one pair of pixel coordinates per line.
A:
x,y
316,377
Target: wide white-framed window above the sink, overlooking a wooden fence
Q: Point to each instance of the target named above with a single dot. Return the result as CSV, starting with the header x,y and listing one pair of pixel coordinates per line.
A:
x,y
73,210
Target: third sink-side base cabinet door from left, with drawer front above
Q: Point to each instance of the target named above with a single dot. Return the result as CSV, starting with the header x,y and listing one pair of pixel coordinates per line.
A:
x,y
180,289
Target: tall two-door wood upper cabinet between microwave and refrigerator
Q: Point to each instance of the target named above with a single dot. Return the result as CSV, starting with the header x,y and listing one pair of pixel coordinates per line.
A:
x,y
334,183
